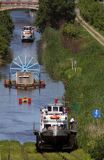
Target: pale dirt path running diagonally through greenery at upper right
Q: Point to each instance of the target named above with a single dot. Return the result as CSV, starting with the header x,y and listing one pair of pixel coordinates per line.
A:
x,y
89,28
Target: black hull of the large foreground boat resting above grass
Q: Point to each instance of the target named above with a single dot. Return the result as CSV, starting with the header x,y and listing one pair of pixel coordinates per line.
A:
x,y
63,140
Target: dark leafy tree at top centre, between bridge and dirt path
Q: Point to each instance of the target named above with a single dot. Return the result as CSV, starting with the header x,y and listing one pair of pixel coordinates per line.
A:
x,y
54,13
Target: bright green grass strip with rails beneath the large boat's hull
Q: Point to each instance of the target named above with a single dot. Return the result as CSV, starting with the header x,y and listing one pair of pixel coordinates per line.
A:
x,y
10,150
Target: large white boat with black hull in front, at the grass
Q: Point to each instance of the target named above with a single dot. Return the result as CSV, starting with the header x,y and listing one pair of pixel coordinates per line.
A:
x,y
55,133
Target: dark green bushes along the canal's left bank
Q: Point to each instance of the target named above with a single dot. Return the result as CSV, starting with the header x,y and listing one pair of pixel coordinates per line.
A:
x,y
6,27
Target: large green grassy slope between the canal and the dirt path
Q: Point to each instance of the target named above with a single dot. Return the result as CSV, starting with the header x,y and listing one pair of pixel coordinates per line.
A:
x,y
84,87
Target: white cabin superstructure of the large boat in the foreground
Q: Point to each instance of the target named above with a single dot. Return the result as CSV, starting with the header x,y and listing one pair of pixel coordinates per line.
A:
x,y
54,115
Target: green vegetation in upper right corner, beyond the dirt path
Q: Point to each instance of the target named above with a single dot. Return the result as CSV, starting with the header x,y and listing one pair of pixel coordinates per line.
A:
x,y
93,12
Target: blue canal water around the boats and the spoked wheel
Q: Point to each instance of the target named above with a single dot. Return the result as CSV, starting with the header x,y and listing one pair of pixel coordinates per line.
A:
x,y
16,121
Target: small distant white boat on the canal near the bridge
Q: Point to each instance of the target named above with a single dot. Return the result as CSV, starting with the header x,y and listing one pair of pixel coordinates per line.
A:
x,y
27,34
